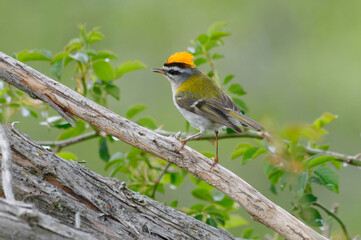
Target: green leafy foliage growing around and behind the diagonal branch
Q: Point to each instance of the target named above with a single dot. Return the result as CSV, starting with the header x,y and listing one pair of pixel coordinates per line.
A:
x,y
287,165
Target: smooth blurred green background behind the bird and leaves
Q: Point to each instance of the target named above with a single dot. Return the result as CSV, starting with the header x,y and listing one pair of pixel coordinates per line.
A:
x,y
295,59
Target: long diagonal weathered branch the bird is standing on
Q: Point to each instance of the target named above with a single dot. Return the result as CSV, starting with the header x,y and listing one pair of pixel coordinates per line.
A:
x,y
259,207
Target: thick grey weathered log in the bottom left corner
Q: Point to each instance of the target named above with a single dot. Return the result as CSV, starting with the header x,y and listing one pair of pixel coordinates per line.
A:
x,y
108,210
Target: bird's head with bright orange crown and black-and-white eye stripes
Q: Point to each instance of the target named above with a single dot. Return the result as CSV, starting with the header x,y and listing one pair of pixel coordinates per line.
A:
x,y
178,68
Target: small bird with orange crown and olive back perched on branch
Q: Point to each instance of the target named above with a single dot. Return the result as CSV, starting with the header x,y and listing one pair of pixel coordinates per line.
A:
x,y
200,100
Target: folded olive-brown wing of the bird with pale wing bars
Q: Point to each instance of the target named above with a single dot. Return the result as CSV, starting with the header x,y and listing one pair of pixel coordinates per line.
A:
x,y
209,108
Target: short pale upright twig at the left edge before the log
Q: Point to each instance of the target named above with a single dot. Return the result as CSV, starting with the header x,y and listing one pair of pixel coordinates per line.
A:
x,y
6,165
